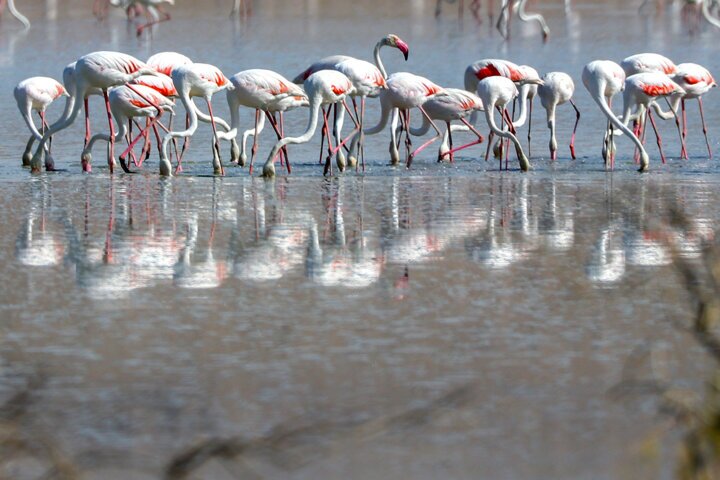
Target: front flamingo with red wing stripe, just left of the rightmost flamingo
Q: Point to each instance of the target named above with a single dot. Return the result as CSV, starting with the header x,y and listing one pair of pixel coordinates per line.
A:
x,y
641,90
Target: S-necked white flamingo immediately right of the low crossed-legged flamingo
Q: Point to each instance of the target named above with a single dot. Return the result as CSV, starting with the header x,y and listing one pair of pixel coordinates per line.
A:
x,y
196,80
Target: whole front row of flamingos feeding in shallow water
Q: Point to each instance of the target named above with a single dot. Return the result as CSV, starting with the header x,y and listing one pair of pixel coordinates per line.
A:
x,y
133,89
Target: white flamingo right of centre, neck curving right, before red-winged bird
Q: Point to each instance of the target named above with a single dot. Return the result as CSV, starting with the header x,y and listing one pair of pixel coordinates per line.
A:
x,y
497,92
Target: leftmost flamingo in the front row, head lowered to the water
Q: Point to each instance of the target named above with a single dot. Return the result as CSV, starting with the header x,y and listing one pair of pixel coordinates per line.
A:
x,y
36,93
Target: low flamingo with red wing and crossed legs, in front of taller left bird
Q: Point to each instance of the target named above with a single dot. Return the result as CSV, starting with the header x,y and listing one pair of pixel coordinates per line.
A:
x,y
127,103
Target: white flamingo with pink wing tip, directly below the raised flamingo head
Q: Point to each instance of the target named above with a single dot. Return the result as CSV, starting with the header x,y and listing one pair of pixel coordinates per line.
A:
x,y
405,91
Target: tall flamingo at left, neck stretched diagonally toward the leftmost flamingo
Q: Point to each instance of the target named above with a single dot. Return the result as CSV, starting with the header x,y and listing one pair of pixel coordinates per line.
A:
x,y
95,70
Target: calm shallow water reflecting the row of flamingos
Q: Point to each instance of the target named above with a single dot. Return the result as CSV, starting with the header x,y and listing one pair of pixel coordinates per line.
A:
x,y
452,321
